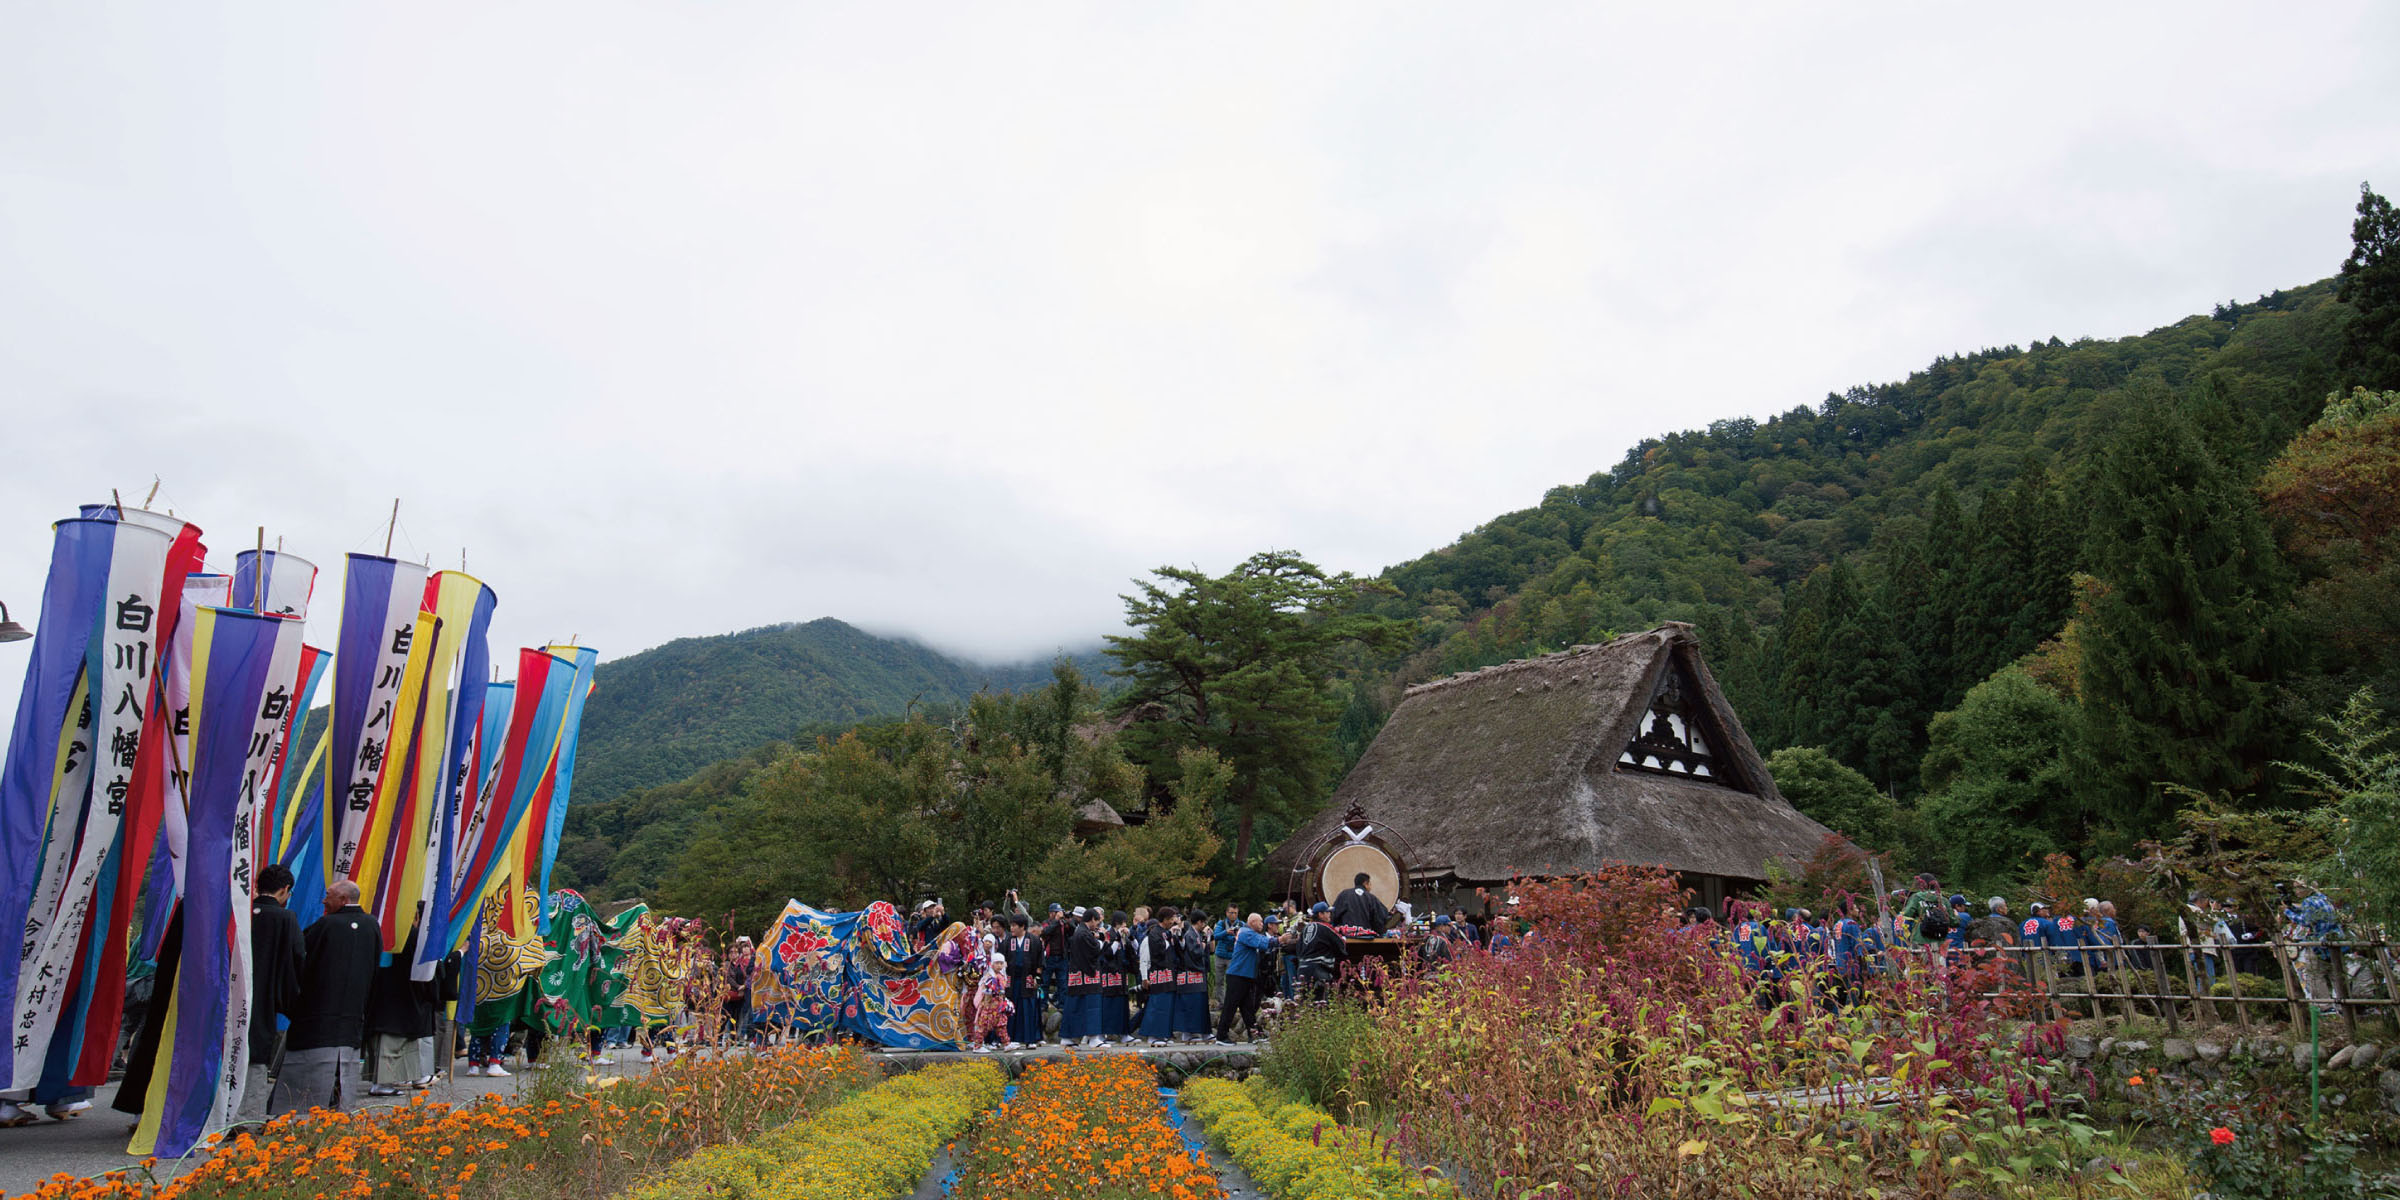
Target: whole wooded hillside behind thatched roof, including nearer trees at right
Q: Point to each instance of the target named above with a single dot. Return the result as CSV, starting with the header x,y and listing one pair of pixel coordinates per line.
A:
x,y
2024,594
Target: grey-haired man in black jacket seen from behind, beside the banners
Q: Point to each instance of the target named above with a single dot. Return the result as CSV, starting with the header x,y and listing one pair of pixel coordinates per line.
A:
x,y
330,1024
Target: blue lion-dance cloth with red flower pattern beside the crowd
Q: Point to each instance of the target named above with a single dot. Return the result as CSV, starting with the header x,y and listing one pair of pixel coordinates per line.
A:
x,y
856,973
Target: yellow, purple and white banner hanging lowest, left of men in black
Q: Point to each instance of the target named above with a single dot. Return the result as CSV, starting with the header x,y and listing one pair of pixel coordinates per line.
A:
x,y
232,676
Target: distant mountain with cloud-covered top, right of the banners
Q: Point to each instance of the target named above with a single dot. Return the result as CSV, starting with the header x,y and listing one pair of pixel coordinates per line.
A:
x,y
668,712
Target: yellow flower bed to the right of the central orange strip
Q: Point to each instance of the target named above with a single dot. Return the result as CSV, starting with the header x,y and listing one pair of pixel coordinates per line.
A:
x,y
1297,1151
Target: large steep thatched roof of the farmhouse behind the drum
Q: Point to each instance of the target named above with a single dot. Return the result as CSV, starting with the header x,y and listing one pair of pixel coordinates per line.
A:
x,y
1523,769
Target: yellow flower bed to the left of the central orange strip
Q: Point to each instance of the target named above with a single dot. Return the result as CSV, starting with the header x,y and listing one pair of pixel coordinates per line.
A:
x,y
875,1144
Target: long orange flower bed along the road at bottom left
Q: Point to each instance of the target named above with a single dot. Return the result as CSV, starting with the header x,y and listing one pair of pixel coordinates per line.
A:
x,y
570,1136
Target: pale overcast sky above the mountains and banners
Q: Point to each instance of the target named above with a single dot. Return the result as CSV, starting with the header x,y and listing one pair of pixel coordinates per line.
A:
x,y
695,318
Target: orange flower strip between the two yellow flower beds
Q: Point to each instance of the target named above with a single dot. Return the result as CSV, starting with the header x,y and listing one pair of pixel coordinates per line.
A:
x,y
1086,1129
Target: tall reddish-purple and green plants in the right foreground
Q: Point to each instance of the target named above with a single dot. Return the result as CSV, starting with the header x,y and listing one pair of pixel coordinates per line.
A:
x,y
1616,1052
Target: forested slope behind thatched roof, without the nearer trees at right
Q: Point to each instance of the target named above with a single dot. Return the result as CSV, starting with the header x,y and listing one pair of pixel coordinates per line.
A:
x,y
1859,565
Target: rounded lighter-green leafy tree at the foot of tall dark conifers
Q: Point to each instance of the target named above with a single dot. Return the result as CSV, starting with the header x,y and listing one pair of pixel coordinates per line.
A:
x,y
2000,781
